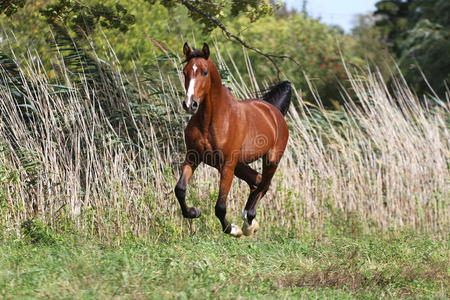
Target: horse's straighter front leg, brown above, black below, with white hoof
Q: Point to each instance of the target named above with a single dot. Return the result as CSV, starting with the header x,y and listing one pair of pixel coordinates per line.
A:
x,y
226,178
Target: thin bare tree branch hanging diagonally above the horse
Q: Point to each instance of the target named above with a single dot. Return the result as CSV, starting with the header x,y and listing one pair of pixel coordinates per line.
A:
x,y
237,39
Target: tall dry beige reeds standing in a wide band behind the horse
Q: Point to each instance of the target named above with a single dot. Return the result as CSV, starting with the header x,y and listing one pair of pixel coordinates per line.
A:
x,y
66,159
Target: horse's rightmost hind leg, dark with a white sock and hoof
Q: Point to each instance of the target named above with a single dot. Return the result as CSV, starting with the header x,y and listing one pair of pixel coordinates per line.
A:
x,y
249,213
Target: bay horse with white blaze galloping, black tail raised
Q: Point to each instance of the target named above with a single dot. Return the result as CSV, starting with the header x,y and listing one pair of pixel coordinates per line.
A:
x,y
228,135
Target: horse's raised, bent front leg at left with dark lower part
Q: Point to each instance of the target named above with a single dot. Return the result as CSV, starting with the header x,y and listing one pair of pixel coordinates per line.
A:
x,y
189,167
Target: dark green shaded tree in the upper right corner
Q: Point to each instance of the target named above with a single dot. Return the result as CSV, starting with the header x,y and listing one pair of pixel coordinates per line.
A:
x,y
418,31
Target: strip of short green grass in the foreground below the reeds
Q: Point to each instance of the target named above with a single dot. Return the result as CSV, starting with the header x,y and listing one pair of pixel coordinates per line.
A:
x,y
202,266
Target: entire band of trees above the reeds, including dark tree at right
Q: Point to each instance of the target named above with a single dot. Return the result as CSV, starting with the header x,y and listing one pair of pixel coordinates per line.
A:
x,y
415,43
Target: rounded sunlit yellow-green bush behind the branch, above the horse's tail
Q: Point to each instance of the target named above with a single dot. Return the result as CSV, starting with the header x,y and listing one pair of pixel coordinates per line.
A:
x,y
313,44
